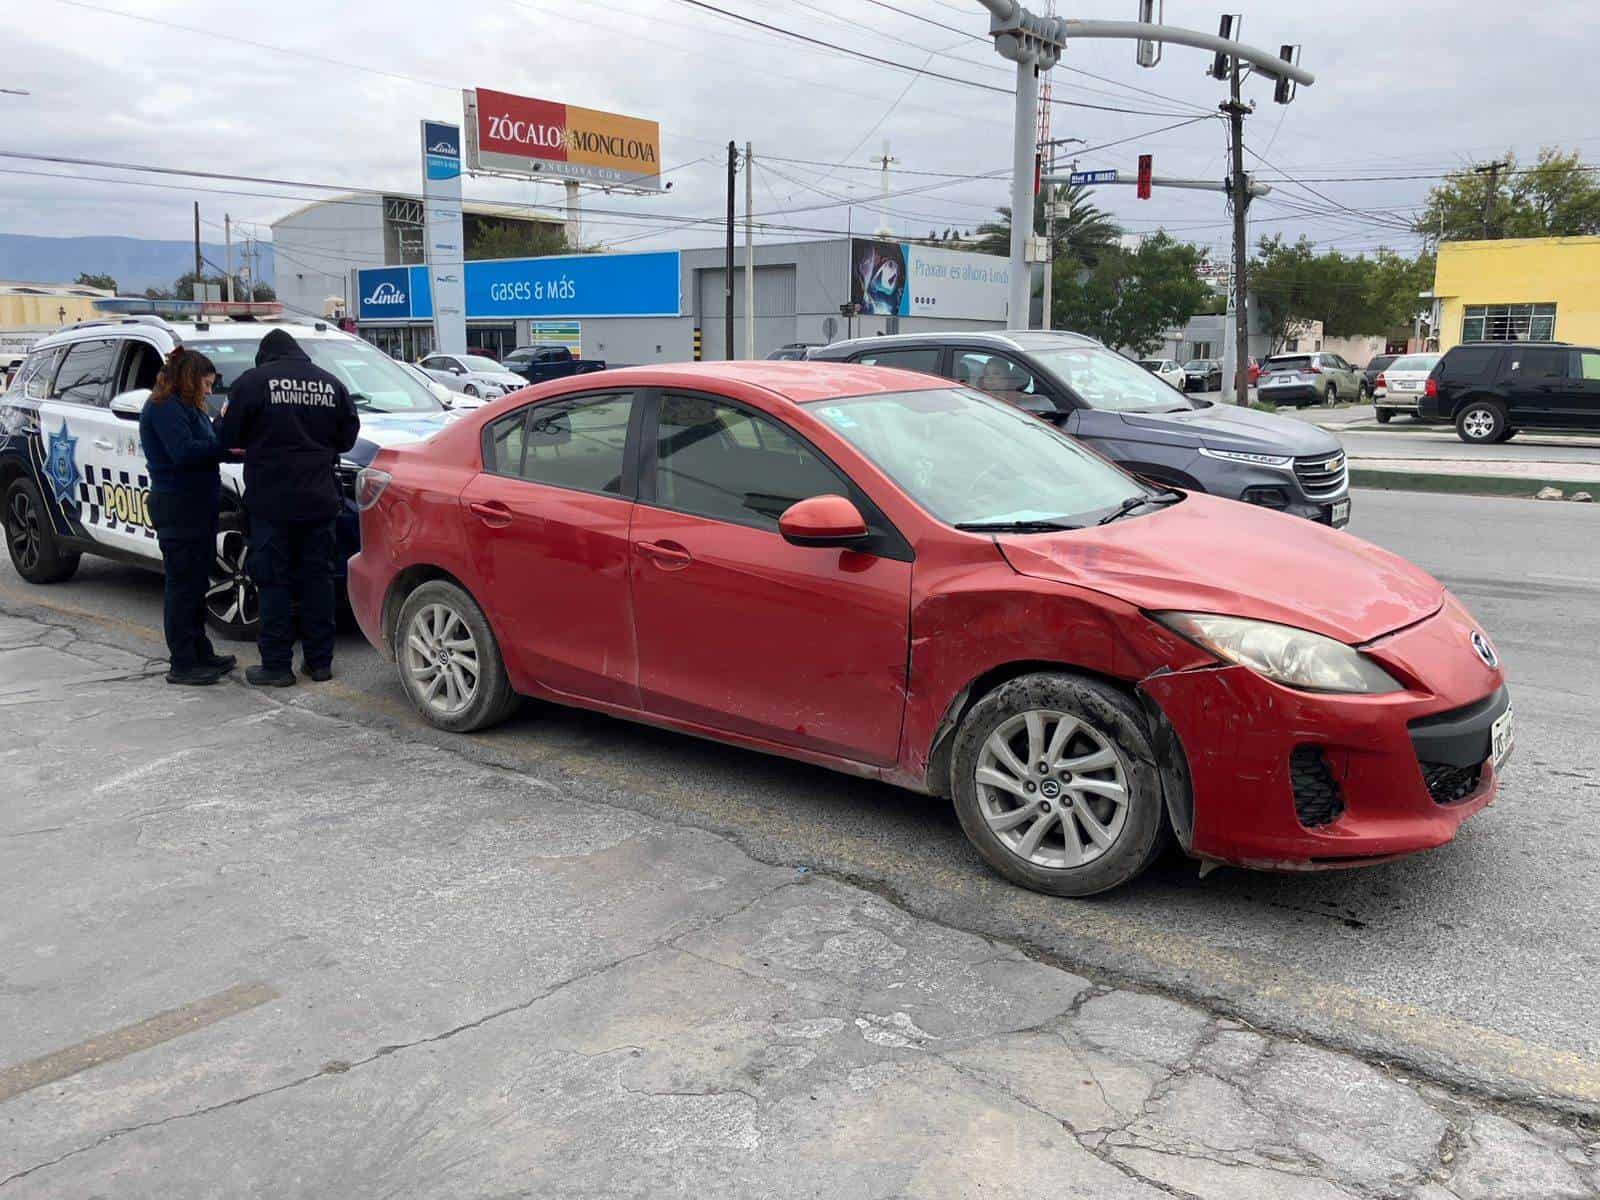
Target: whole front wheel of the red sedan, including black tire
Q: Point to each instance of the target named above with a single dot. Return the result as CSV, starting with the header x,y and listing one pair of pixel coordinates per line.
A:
x,y
1057,786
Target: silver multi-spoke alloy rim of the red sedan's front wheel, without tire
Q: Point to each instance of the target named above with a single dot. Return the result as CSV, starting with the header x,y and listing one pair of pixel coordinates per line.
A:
x,y
1054,790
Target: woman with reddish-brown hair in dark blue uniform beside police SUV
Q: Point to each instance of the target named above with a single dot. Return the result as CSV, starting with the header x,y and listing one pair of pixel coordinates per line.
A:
x,y
183,454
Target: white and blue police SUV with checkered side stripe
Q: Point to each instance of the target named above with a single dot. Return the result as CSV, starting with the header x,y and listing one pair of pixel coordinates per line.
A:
x,y
73,473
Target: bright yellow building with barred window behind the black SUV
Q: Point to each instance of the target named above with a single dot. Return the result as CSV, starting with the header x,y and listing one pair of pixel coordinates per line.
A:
x,y
1529,289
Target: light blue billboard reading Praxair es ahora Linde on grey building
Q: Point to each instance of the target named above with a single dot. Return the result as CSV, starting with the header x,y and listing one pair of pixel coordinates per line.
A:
x,y
898,279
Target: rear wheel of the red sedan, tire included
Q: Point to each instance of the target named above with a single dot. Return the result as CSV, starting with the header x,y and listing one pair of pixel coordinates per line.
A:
x,y
449,660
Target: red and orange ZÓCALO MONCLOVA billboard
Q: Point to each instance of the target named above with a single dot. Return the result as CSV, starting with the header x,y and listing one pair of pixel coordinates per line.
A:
x,y
521,135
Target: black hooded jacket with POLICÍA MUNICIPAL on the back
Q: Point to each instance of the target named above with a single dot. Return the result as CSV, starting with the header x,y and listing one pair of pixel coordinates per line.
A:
x,y
292,420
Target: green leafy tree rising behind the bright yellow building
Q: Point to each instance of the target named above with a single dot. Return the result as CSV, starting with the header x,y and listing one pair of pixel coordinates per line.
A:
x,y
1556,198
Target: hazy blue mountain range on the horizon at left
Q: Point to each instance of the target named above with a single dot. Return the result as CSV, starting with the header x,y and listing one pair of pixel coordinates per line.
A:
x,y
134,262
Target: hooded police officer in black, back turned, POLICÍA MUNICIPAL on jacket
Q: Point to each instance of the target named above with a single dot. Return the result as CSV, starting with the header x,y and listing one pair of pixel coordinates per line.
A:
x,y
292,420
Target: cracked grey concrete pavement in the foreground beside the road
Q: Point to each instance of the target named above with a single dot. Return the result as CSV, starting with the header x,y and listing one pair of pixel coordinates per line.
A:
x,y
252,951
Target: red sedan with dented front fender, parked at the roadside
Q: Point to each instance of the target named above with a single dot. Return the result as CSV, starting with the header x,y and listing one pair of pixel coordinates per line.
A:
x,y
905,580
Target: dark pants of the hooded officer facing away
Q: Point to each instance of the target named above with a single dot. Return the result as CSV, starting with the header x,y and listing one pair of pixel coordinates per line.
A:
x,y
292,564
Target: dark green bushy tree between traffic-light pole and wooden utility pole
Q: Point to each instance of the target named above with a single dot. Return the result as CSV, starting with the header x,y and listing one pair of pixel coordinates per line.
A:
x,y
1130,297
